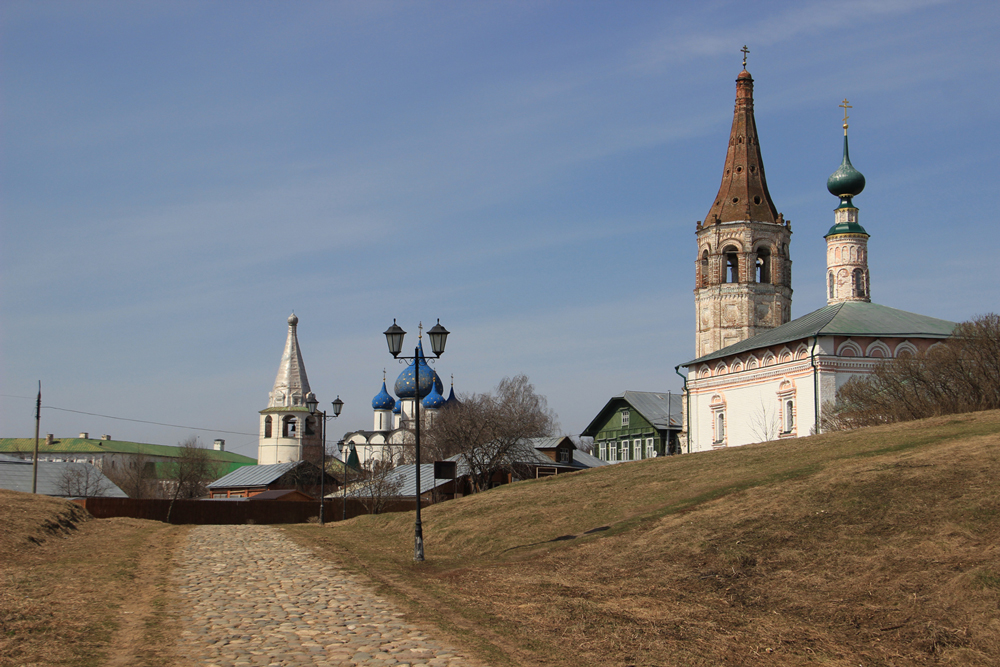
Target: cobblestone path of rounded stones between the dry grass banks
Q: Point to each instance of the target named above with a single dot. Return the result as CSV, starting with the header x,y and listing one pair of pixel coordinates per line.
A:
x,y
251,596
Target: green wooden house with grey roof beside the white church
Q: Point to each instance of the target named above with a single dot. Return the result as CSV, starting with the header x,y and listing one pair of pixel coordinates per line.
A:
x,y
637,425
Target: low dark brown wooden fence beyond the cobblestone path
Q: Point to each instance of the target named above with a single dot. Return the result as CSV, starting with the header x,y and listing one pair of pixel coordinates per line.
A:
x,y
228,512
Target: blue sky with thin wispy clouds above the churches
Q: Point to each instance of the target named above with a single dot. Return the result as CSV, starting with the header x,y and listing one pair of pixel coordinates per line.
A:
x,y
177,178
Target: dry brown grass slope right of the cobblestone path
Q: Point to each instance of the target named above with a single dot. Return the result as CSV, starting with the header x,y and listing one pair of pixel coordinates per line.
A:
x,y
874,547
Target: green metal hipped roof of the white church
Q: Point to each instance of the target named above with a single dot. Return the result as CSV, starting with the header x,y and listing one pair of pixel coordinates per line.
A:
x,y
850,318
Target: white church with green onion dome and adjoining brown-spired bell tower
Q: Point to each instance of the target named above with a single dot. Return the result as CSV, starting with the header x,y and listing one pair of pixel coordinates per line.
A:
x,y
759,376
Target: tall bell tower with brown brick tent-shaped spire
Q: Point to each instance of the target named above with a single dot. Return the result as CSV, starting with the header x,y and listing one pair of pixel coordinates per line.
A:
x,y
743,274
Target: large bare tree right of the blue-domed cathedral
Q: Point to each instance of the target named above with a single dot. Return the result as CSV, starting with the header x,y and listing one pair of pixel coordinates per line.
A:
x,y
491,431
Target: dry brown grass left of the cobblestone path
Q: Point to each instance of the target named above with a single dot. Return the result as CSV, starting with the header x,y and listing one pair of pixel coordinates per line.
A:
x,y
79,591
